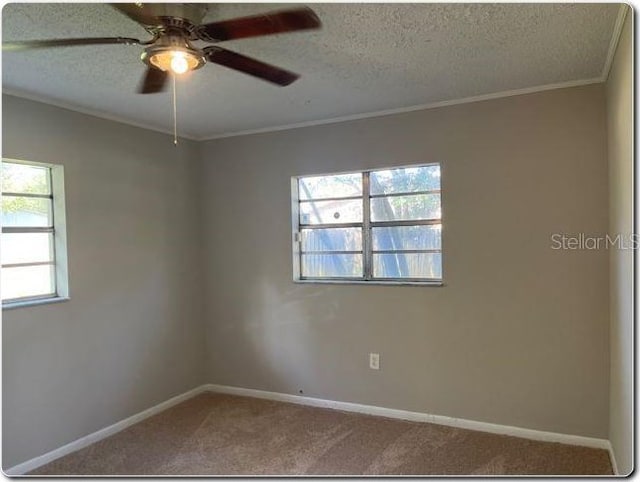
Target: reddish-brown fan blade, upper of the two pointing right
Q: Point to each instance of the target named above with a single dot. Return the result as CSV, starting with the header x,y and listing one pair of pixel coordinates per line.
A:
x,y
266,24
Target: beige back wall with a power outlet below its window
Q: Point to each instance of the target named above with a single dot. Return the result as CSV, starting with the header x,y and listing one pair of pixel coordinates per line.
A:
x,y
519,334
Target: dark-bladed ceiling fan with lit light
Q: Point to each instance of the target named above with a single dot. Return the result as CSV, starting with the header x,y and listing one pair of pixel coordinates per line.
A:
x,y
175,26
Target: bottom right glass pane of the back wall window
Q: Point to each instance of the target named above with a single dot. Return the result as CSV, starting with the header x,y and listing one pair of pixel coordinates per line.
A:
x,y
423,265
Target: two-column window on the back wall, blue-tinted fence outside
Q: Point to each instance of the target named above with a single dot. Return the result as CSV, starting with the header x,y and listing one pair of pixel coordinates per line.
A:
x,y
375,226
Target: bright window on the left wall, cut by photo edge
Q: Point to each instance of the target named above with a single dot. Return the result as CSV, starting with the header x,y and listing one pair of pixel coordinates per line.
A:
x,y
33,233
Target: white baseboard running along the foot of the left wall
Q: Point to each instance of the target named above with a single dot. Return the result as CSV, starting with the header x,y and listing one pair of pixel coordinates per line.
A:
x,y
82,442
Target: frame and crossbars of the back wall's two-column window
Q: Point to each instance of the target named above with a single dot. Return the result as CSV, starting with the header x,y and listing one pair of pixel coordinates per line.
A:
x,y
366,225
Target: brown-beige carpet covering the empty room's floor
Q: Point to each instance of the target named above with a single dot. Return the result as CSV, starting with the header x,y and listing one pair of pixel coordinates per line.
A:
x,y
214,434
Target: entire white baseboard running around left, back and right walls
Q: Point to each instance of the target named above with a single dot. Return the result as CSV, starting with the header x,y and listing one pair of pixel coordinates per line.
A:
x,y
36,462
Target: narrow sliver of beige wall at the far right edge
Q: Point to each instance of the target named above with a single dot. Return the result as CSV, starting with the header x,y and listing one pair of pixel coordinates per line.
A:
x,y
619,91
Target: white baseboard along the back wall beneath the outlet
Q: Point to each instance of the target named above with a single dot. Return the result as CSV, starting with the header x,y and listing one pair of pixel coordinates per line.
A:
x,y
418,417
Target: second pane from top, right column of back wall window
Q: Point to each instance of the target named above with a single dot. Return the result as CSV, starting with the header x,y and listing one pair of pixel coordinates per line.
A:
x,y
417,206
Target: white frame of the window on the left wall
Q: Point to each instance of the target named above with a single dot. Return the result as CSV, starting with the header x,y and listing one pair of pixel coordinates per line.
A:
x,y
59,231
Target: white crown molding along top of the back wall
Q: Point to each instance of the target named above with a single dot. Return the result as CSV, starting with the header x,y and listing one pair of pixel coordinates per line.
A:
x,y
412,108
